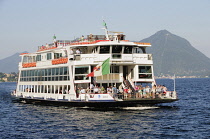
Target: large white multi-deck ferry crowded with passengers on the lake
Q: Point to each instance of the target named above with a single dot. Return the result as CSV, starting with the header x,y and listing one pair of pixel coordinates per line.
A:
x,y
94,71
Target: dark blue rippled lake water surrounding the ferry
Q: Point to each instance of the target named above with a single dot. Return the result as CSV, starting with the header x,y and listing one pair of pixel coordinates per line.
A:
x,y
187,118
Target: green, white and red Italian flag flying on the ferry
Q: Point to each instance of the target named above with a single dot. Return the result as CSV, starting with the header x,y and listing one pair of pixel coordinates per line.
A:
x,y
101,69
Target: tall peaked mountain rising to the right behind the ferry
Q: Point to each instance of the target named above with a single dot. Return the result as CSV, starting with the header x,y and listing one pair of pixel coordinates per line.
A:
x,y
175,55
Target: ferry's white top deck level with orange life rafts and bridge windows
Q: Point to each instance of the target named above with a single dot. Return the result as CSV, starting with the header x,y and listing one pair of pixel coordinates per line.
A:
x,y
93,48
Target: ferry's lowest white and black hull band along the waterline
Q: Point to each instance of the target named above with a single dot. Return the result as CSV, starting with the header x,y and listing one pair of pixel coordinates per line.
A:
x,y
97,100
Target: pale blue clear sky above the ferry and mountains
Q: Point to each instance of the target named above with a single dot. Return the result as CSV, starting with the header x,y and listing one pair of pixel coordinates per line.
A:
x,y
27,24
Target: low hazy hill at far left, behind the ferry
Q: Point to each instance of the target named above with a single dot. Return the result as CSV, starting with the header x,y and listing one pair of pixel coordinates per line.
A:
x,y
10,64
